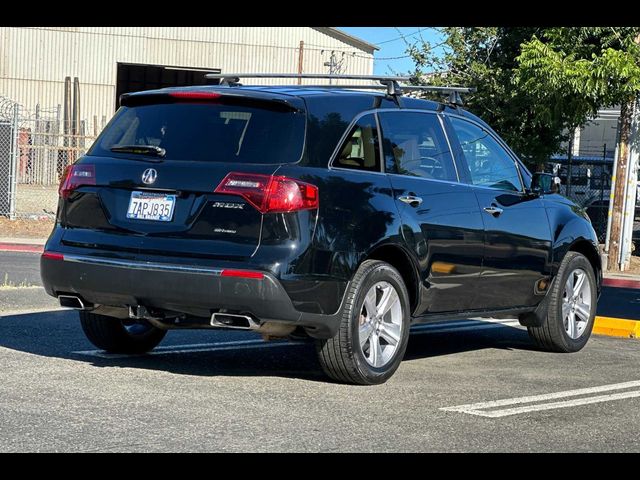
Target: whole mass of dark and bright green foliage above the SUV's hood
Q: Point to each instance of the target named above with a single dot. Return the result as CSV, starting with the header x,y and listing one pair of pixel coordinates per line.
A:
x,y
535,84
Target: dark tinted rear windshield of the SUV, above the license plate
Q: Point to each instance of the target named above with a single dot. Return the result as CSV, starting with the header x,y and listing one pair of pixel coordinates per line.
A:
x,y
206,132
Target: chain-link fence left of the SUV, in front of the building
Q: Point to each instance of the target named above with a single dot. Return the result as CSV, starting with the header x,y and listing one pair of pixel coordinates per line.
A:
x,y
35,149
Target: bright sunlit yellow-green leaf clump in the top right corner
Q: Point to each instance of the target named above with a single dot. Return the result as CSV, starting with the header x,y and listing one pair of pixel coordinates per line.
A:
x,y
579,69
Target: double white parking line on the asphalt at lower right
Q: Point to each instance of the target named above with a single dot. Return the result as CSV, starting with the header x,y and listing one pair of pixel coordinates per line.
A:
x,y
489,409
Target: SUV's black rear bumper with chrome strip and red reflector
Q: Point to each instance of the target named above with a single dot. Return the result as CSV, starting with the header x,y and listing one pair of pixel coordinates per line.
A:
x,y
191,289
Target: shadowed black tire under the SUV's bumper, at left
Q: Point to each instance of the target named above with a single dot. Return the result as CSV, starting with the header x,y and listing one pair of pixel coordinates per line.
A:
x,y
120,336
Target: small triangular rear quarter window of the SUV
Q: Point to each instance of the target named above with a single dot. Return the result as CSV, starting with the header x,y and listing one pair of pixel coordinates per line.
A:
x,y
360,151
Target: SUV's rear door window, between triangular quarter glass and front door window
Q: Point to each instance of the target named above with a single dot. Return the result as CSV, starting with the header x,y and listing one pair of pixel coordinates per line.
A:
x,y
414,144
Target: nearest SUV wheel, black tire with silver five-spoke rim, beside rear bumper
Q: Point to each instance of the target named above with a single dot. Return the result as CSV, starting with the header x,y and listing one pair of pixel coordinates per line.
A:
x,y
374,328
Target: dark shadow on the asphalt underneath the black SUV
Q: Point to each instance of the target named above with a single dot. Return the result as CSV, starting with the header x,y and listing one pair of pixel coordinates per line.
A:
x,y
57,334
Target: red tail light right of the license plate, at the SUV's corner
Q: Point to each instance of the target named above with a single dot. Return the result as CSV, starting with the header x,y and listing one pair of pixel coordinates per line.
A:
x,y
269,193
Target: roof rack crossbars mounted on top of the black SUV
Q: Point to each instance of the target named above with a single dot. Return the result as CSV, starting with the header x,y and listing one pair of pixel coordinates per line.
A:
x,y
389,83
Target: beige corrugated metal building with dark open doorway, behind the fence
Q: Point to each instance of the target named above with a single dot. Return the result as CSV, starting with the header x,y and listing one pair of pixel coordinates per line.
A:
x,y
43,128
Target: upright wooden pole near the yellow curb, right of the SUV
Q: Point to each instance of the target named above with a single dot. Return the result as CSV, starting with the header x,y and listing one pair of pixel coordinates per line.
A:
x,y
619,204
